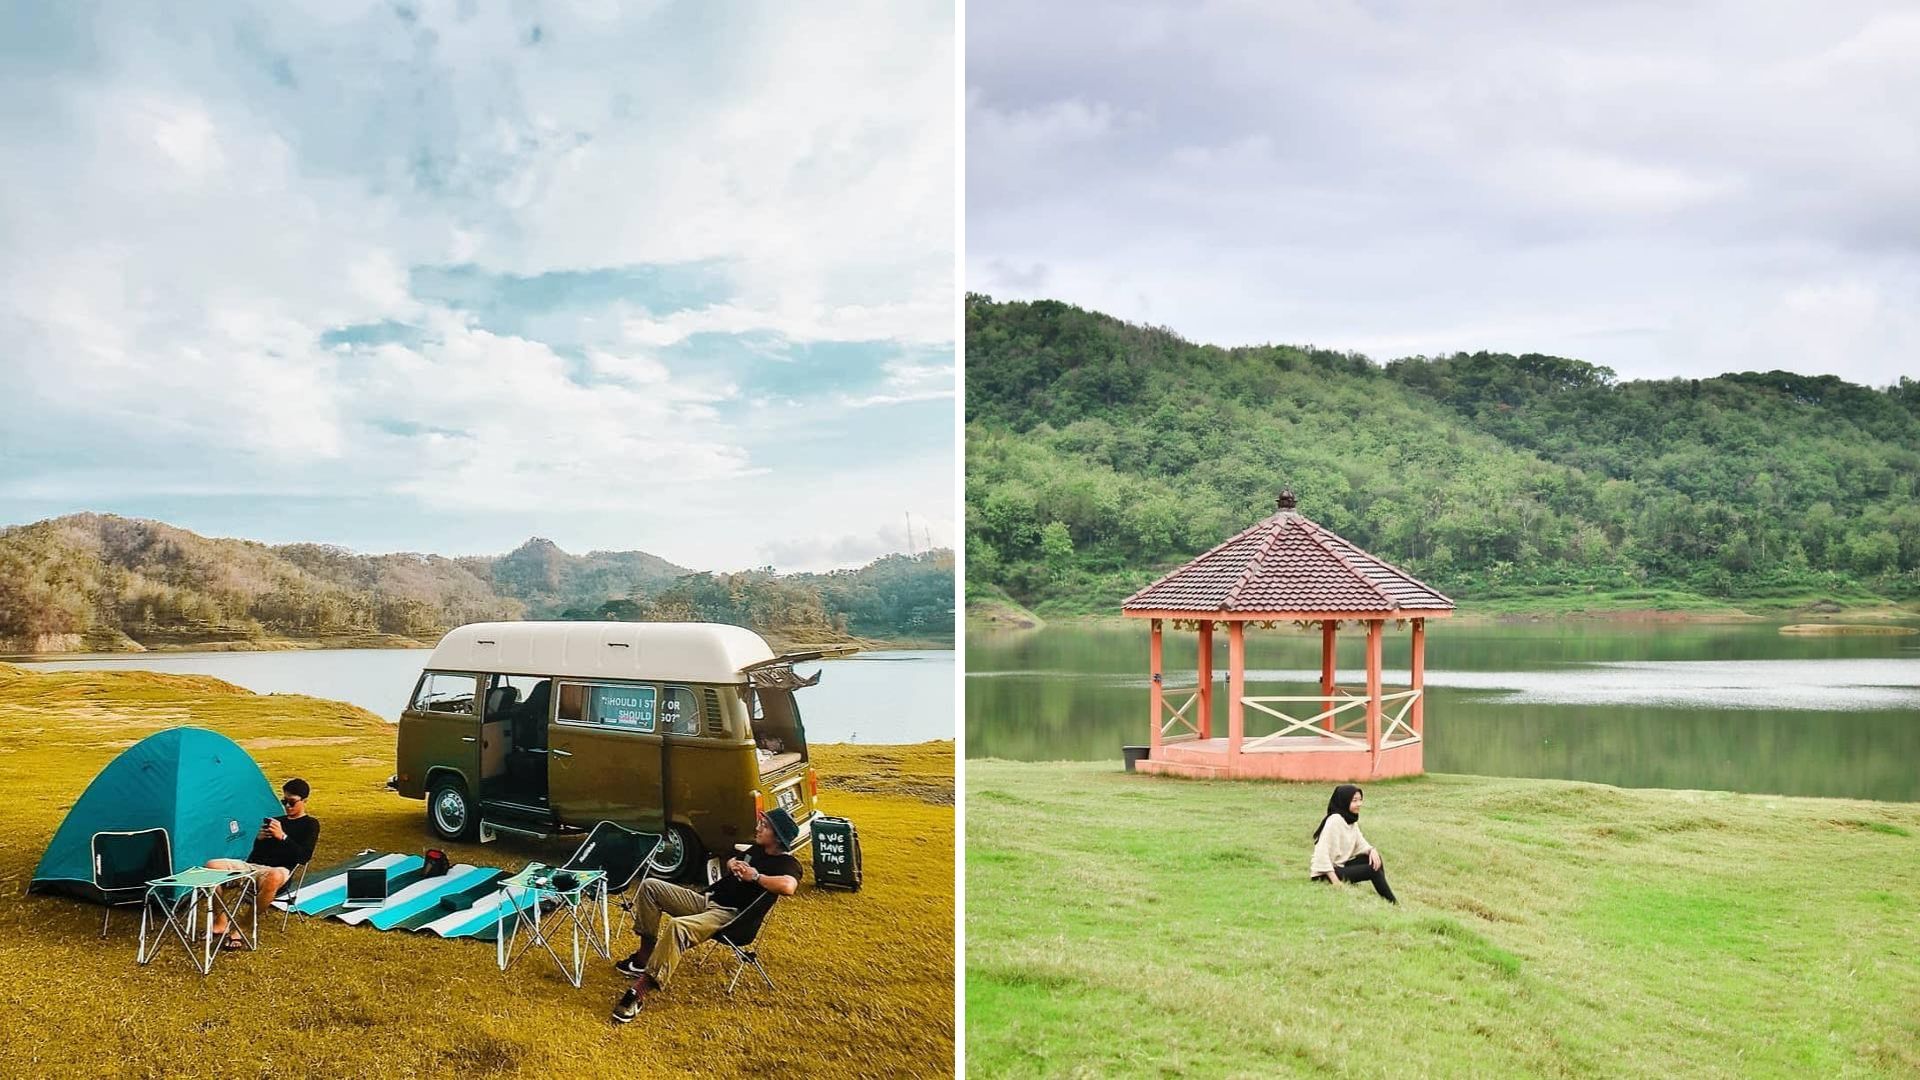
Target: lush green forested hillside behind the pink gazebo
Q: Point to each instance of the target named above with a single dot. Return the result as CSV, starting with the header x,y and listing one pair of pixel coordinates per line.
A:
x,y
1101,454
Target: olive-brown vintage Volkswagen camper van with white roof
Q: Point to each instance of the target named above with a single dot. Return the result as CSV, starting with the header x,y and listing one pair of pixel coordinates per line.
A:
x,y
686,729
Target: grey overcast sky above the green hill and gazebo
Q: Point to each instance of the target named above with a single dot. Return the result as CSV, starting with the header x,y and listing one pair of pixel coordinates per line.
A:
x,y
1668,189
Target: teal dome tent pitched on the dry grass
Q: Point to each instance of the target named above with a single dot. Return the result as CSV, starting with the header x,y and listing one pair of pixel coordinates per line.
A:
x,y
197,785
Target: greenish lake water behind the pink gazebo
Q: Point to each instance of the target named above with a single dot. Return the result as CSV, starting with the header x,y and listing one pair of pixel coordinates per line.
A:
x,y
1733,706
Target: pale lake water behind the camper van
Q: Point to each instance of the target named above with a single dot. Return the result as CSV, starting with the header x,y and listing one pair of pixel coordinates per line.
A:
x,y
875,697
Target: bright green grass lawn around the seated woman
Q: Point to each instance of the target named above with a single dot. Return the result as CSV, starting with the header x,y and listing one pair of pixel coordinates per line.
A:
x,y
1138,925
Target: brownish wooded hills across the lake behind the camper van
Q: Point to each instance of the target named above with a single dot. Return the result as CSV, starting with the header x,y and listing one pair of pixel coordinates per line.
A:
x,y
95,581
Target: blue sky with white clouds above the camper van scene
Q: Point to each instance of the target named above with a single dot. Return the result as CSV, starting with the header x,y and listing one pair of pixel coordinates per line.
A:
x,y
443,276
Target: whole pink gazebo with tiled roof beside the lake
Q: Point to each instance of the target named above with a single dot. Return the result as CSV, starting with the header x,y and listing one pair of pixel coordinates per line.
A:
x,y
1287,570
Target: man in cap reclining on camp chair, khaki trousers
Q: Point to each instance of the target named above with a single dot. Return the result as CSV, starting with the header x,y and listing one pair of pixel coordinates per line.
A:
x,y
673,920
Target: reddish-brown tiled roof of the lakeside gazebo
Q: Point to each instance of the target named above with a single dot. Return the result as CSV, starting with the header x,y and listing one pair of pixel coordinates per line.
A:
x,y
1287,564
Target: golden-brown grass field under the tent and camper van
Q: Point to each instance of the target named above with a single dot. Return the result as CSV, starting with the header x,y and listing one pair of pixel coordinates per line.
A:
x,y
865,979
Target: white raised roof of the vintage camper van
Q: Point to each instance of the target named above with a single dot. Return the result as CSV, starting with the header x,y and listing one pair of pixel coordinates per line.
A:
x,y
683,652
